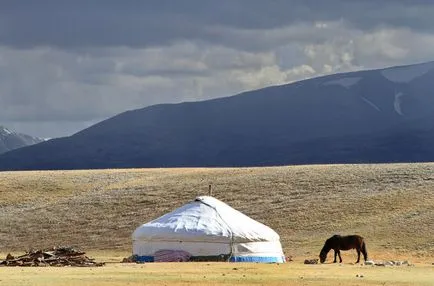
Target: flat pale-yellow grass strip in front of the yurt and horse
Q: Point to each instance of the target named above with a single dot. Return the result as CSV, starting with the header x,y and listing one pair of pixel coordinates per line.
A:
x,y
291,274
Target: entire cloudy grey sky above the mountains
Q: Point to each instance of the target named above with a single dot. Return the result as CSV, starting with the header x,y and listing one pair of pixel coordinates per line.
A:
x,y
65,65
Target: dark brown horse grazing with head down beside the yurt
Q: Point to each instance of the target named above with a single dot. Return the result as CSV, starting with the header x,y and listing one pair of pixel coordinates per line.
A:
x,y
338,243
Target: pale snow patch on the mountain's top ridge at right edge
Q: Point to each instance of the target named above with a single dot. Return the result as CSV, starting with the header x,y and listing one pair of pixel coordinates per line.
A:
x,y
408,73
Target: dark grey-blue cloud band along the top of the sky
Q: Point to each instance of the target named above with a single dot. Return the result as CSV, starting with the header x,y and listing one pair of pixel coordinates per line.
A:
x,y
135,23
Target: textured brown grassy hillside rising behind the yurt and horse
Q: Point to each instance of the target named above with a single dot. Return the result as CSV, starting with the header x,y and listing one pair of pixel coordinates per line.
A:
x,y
391,205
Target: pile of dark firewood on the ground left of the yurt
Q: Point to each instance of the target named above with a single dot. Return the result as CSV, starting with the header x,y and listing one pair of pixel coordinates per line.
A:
x,y
56,256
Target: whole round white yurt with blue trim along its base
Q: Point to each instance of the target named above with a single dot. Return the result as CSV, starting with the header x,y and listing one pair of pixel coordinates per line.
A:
x,y
206,229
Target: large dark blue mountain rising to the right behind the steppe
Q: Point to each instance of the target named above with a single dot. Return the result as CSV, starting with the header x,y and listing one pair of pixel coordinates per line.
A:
x,y
384,115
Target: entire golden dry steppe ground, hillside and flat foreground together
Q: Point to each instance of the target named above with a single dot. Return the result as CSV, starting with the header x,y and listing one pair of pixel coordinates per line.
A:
x,y
391,205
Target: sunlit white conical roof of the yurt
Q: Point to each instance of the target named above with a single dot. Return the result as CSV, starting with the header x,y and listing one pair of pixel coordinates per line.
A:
x,y
205,219
